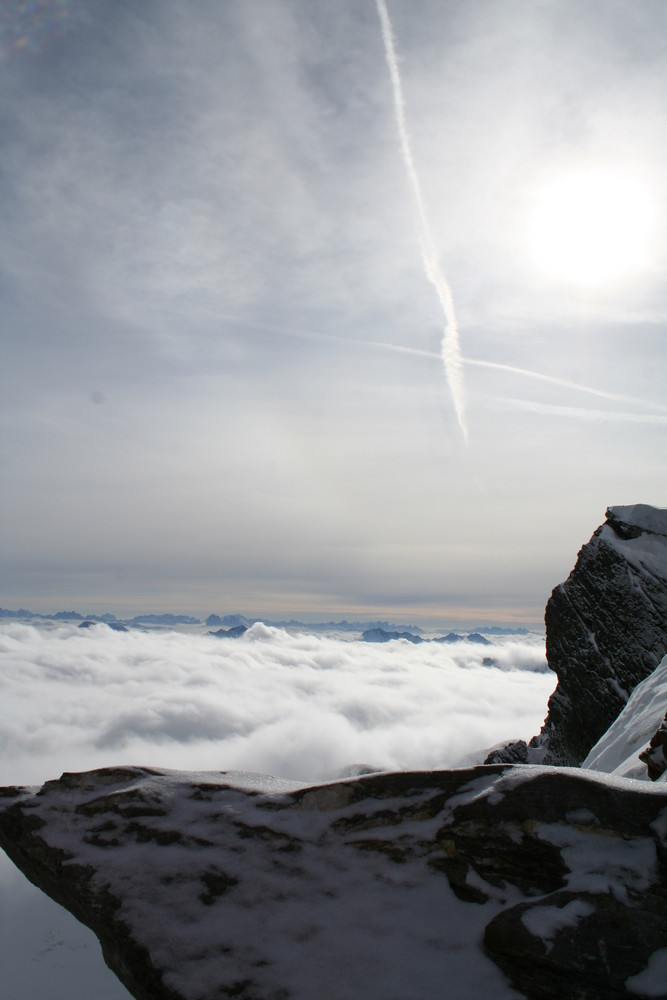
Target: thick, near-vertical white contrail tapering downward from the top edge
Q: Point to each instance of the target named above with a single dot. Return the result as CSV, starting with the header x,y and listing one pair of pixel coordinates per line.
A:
x,y
450,350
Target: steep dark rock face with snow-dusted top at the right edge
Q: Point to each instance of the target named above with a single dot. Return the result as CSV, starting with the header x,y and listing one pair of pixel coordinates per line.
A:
x,y
606,630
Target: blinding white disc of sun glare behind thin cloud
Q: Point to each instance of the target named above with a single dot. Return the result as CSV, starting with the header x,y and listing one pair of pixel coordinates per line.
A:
x,y
592,226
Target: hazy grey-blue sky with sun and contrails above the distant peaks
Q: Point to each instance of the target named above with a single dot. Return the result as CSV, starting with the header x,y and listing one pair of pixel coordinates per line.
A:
x,y
234,236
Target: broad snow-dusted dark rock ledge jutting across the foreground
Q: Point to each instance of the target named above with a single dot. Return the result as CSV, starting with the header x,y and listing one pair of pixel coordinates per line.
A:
x,y
214,885
